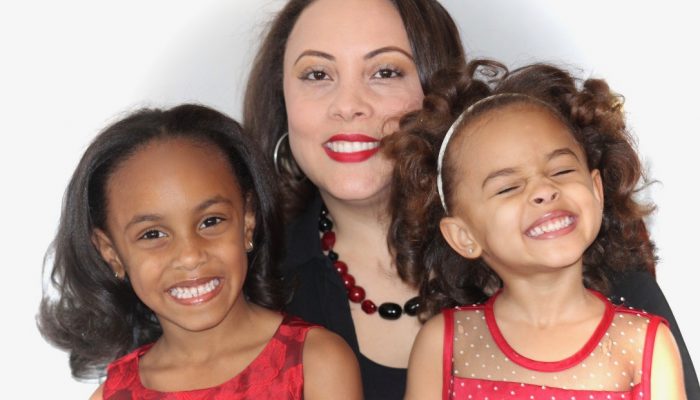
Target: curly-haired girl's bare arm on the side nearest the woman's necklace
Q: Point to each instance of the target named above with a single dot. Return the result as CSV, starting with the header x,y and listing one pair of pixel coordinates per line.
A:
x,y
425,365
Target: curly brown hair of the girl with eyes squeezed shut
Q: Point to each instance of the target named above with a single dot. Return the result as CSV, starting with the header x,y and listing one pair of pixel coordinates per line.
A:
x,y
594,116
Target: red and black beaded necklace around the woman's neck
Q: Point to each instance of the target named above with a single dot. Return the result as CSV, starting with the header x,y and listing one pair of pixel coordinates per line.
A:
x,y
356,294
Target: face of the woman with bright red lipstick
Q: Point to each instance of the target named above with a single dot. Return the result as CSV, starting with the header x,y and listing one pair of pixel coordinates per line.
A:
x,y
349,76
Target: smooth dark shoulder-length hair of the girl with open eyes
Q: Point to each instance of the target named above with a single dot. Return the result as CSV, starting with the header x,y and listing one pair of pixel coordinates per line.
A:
x,y
98,317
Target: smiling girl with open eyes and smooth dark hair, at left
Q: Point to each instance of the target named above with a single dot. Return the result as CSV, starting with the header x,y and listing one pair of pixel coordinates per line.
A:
x,y
165,257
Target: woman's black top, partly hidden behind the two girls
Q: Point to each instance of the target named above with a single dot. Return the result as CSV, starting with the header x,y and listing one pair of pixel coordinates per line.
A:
x,y
320,297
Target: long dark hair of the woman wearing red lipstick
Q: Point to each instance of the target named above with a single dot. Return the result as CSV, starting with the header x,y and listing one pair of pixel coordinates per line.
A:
x,y
435,44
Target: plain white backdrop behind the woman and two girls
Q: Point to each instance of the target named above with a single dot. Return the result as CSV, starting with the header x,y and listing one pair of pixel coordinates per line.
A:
x,y
71,67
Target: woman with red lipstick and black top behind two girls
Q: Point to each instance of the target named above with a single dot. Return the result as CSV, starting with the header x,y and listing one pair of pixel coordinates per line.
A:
x,y
336,75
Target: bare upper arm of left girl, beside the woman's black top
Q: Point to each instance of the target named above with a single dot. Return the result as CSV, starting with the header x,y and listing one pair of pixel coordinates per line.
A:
x,y
330,368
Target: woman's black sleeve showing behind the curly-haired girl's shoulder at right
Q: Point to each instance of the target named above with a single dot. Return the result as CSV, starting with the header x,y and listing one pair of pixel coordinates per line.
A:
x,y
641,291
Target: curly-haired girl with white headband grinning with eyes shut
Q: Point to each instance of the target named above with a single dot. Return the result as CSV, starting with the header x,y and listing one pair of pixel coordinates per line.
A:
x,y
535,197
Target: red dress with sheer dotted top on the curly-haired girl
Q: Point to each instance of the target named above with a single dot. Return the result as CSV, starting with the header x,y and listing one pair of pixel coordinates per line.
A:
x,y
614,364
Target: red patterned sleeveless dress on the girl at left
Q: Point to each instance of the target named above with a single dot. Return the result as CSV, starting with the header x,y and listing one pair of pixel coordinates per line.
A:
x,y
276,373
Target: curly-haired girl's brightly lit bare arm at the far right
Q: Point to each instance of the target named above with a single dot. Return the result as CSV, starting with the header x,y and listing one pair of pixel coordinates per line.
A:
x,y
666,368
